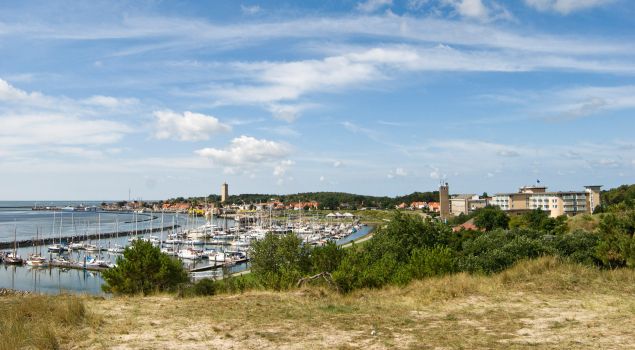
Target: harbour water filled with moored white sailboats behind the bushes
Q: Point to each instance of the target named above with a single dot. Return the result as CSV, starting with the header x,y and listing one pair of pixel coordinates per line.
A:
x,y
67,250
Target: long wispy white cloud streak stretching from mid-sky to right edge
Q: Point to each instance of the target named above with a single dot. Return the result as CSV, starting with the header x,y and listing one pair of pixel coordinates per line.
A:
x,y
275,84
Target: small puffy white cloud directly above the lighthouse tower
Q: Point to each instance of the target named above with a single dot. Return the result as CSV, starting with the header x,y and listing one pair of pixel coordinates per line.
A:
x,y
246,151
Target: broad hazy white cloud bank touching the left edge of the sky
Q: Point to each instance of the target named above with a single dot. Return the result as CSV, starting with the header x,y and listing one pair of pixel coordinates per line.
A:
x,y
31,122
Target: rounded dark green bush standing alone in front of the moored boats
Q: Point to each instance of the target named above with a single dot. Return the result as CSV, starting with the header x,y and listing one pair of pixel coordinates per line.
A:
x,y
144,269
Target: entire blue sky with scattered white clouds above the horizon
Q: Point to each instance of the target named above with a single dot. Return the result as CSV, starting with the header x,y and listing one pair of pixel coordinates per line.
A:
x,y
171,98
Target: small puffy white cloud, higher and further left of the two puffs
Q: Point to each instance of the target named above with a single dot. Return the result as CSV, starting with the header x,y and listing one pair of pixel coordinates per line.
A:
x,y
187,126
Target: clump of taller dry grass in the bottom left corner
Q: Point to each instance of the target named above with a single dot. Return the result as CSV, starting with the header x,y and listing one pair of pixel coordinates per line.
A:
x,y
43,322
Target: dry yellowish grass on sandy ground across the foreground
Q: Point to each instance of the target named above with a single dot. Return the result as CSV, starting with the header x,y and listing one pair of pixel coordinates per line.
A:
x,y
537,304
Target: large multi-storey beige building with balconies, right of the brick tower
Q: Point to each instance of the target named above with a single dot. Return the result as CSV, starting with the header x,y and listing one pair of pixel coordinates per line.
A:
x,y
556,203
